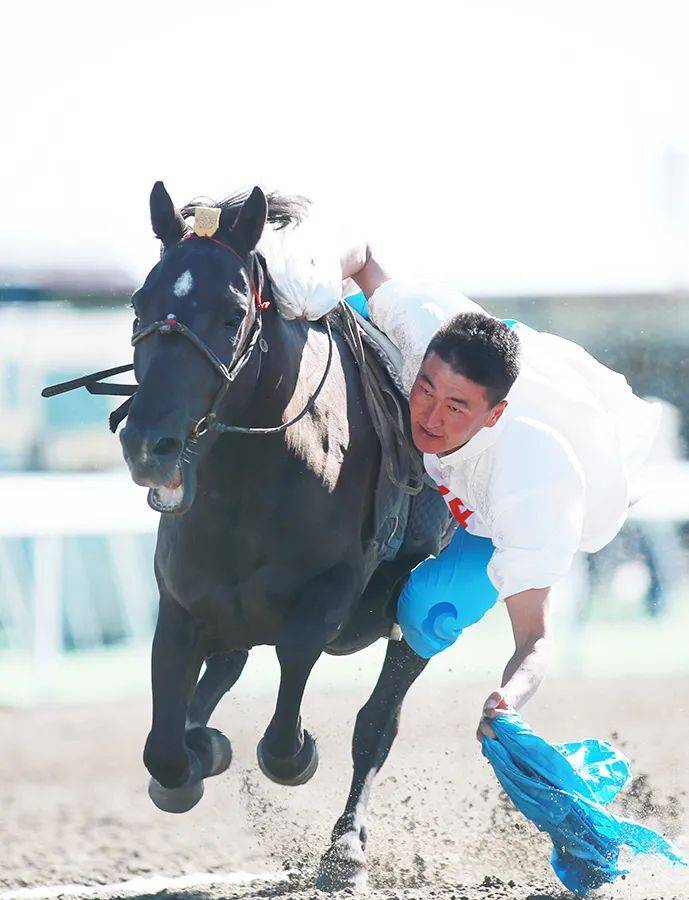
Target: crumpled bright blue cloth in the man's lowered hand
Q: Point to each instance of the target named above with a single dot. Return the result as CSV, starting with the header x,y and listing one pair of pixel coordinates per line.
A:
x,y
562,789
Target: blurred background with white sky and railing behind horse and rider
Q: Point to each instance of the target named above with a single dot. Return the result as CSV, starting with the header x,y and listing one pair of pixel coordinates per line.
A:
x,y
536,154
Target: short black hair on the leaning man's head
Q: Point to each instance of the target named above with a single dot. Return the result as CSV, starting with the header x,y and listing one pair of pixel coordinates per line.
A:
x,y
482,349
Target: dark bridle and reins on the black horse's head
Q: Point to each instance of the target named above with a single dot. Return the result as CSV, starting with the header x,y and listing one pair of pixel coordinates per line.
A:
x,y
245,345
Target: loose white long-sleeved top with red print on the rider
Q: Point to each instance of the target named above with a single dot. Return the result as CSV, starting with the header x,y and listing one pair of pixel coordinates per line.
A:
x,y
554,475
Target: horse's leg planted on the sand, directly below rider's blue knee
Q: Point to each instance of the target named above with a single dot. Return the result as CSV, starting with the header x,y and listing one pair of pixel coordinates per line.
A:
x,y
344,863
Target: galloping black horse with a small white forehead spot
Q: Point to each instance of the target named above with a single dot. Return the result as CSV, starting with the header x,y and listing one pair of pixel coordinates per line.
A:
x,y
264,539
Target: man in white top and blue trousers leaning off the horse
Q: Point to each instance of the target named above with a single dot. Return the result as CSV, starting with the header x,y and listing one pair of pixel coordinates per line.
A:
x,y
532,442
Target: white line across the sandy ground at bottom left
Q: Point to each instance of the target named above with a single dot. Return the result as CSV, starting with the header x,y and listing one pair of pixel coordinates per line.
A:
x,y
140,885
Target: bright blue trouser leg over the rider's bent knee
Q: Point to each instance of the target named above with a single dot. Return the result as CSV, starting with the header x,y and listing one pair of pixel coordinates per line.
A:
x,y
445,594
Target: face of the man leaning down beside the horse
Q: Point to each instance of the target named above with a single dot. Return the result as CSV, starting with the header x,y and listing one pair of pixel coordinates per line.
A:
x,y
448,409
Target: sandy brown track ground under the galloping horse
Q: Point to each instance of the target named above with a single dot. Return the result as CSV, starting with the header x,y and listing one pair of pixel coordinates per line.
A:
x,y
75,809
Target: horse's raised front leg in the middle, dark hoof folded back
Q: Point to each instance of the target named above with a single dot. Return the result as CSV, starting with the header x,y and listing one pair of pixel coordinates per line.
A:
x,y
287,753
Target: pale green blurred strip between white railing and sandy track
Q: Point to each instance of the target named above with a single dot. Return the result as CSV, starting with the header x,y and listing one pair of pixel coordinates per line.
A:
x,y
611,644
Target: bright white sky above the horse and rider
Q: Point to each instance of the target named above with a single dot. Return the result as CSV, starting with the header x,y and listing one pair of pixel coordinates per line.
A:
x,y
510,147
